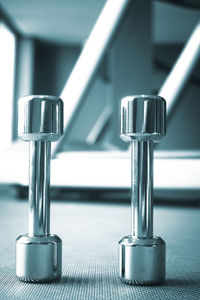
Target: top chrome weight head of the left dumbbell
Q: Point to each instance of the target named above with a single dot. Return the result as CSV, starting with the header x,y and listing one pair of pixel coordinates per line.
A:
x,y
40,118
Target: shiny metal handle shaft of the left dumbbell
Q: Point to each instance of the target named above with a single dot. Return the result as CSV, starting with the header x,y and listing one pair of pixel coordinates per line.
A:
x,y
39,183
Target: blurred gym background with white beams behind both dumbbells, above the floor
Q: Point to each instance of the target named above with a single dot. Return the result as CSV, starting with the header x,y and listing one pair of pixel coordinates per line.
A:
x,y
43,42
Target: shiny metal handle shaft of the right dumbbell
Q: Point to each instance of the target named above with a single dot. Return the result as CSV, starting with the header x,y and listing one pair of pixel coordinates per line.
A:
x,y
142,188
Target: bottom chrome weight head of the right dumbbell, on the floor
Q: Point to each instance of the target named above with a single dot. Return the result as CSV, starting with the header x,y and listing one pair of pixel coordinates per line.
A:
x,y
142,261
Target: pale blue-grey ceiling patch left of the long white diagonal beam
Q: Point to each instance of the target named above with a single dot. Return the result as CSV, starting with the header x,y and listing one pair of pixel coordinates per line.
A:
x,y
62,21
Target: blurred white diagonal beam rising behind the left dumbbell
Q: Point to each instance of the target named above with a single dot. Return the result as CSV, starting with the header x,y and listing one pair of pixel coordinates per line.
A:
x,y
92,54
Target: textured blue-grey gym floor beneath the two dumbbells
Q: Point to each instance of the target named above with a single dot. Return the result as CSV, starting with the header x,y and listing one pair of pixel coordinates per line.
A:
x,y
90,233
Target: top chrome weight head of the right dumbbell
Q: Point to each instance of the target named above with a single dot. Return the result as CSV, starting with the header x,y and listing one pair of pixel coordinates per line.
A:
x,y
143,118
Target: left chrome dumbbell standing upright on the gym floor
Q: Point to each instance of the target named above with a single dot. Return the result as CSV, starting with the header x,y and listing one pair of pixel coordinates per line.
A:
x,y
39,253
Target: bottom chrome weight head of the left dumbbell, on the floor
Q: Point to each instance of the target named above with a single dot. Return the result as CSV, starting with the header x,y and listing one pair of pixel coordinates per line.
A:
x,y
38,259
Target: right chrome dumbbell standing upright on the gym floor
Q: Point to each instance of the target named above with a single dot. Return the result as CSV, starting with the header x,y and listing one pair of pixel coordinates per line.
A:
x,y
141,255
